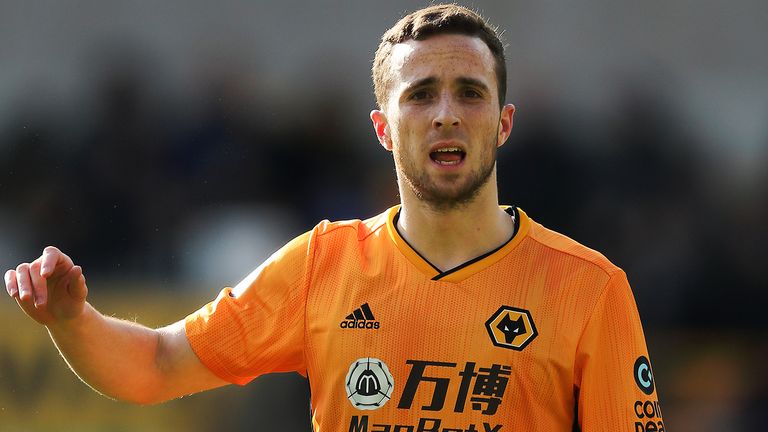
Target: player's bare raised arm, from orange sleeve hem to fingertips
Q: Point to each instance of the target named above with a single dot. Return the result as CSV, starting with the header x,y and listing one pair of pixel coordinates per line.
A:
x,y
118,358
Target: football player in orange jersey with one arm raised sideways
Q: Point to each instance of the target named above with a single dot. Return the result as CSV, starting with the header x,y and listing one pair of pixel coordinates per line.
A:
x,y
446,312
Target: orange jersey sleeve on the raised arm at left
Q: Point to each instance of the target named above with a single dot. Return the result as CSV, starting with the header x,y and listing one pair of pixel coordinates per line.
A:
x,y
257,327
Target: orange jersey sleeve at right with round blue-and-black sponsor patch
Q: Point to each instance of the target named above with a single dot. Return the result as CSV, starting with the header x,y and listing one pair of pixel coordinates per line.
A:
x,y
615,386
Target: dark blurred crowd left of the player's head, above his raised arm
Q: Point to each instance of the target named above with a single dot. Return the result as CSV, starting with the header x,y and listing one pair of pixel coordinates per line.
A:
x,y
123,189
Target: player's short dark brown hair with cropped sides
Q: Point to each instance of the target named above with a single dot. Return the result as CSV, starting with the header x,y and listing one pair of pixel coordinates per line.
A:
x,y
430,21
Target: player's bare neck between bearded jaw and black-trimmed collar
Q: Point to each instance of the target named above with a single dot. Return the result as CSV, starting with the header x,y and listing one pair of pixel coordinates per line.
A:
x,y
448,238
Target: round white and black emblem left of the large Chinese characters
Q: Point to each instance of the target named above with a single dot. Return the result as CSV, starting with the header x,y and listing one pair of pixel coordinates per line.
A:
x,y
369,383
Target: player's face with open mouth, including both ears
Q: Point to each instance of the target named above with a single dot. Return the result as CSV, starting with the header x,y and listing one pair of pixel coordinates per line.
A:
x,y
442,120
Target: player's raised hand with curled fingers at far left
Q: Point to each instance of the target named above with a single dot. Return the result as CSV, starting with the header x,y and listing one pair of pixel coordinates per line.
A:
x,y
50,289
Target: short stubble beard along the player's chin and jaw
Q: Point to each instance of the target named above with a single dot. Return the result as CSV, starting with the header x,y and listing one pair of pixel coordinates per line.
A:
x,y
441,198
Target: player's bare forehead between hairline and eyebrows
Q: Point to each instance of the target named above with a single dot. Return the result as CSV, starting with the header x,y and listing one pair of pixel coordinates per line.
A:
x,y
442,56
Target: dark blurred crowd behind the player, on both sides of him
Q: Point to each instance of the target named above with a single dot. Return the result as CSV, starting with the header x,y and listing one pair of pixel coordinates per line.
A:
x,y
146,185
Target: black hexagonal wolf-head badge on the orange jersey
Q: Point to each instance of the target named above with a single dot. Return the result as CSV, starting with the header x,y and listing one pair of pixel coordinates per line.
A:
x,y
512,328
